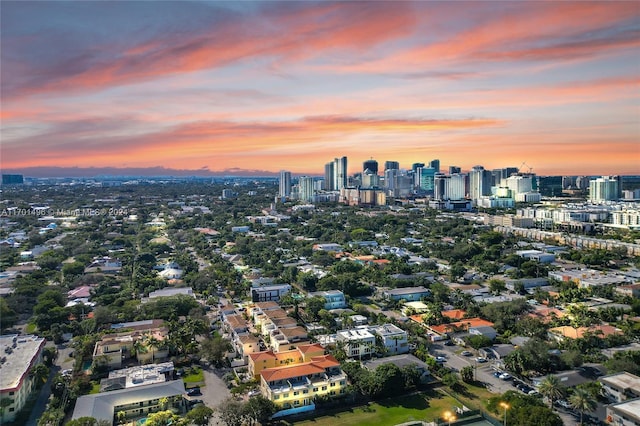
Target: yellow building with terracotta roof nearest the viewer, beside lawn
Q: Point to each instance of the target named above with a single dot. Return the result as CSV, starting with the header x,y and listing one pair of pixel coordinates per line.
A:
x,y
294,387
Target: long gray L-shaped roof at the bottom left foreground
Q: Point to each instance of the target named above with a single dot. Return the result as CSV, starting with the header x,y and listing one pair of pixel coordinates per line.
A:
x,y
101,406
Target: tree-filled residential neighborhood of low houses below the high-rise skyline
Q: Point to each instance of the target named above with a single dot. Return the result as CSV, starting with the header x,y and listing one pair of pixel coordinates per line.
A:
x,y
328,310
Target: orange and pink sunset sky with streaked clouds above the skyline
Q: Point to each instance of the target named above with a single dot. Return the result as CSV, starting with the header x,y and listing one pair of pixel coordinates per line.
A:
x,y
552,87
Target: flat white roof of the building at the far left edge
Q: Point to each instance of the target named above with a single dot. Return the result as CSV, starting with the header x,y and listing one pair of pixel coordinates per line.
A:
x,y
17,359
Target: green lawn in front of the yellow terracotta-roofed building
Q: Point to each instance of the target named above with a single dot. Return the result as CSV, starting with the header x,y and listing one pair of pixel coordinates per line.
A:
x,y
390,411
